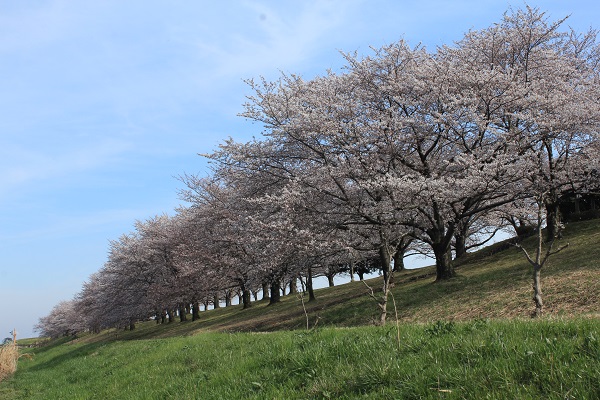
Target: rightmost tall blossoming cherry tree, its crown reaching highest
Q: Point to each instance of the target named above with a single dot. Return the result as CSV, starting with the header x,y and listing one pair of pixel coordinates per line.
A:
x,y
550,94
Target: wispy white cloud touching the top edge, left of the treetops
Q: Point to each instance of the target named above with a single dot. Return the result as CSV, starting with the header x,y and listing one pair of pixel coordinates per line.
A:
x,y
271,39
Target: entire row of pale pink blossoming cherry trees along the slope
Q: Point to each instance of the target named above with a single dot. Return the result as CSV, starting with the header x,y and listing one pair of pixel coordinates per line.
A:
x,y
403,150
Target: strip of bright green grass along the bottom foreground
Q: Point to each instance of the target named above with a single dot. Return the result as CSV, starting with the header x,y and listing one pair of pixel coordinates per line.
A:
x,y
477,359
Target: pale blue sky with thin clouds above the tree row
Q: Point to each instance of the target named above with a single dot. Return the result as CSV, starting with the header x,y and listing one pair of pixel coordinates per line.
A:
x,y
104,103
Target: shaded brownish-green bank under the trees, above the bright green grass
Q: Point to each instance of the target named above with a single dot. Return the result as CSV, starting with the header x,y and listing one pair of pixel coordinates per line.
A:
x,y
494,282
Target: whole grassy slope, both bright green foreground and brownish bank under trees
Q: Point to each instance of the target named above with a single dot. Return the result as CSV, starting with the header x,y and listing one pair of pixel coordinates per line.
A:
x,y
506,357
